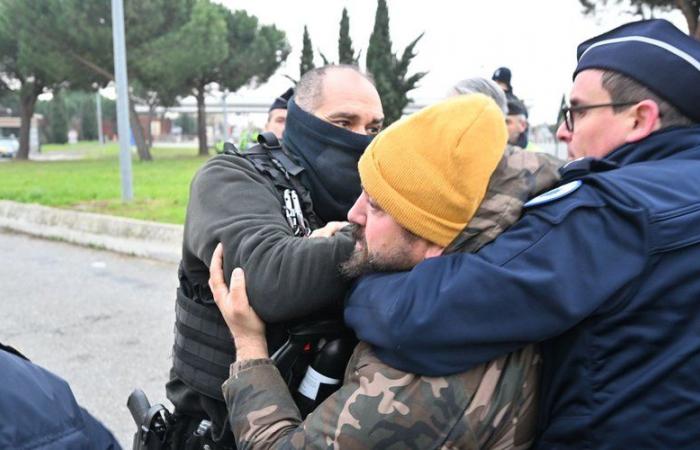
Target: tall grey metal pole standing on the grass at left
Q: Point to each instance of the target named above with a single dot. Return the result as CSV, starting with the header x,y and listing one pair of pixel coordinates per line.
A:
x,y
122,98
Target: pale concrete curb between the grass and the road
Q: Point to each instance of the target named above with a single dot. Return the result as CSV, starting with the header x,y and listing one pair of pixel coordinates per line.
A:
x,y
141,238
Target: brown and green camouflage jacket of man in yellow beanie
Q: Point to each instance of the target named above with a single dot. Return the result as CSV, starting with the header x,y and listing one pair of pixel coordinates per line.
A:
x,y
490,406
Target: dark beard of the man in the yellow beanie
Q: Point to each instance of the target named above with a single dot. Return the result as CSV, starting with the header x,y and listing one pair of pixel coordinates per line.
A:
x,y
361,262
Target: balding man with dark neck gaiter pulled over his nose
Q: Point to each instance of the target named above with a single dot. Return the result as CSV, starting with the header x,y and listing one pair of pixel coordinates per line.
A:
x,y
331,119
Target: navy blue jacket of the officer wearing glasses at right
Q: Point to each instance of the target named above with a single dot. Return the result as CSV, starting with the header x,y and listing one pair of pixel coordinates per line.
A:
x,y
607,278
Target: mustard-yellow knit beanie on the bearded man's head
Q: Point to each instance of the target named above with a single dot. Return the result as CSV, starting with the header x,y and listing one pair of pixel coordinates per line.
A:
x,y
430,170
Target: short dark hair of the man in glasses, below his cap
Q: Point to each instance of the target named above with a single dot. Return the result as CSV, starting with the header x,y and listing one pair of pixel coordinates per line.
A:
x,y
624,89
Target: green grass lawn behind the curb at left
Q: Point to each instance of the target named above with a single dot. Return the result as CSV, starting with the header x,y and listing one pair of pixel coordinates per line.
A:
x,y
93,183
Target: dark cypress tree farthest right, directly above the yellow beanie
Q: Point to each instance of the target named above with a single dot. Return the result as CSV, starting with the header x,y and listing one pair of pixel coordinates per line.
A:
x,y
390,73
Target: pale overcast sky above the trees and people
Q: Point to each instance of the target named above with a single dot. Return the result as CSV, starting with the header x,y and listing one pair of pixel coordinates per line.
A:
x,y
536,39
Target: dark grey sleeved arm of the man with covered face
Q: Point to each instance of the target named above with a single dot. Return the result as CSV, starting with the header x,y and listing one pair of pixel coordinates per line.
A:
x,y
256,237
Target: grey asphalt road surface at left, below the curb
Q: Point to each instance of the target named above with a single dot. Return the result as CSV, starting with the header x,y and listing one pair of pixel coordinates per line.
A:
x,y
100,320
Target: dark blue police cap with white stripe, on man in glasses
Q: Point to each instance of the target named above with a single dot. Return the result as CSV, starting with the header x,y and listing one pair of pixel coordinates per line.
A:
x,y
654,53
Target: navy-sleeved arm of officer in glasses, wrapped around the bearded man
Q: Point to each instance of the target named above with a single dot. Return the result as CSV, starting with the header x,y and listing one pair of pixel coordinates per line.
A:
x,y
453,312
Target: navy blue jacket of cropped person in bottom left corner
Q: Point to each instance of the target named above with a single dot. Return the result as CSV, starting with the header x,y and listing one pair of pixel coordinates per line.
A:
x,y
38,411
